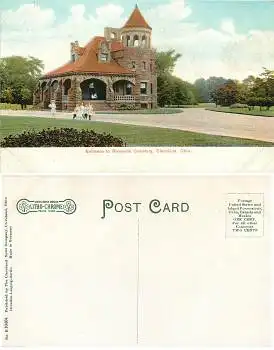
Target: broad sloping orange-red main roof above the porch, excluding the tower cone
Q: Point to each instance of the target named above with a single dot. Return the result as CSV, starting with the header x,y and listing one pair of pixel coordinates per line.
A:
x,y
88,61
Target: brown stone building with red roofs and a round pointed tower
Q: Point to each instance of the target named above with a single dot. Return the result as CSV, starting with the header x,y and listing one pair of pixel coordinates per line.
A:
x,y
115,69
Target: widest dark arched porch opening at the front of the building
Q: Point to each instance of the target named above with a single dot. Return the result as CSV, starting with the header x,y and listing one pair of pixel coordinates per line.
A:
x,y
93,89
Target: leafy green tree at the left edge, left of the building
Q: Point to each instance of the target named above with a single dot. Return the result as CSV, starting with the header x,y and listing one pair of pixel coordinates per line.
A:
x,y
19,75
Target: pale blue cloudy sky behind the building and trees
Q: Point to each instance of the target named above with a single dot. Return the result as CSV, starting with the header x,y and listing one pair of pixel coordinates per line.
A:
x,y
226,38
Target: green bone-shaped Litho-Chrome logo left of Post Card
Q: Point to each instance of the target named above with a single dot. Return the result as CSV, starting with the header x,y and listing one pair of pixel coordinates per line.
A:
x,y
25,206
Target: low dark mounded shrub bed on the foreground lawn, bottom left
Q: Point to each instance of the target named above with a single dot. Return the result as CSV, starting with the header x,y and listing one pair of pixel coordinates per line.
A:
x,y
62,137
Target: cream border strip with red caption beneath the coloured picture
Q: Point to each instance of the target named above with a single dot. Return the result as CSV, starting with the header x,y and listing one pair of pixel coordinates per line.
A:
x,y
173,160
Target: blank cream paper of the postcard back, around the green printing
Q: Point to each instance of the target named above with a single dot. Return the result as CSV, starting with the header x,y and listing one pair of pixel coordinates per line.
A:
x,y
77,281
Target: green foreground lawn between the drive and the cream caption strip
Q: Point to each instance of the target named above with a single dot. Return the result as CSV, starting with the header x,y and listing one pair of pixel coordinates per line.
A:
x,y
131,134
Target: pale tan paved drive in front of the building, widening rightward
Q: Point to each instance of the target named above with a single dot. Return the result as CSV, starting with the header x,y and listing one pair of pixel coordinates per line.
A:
x,y
192,119
